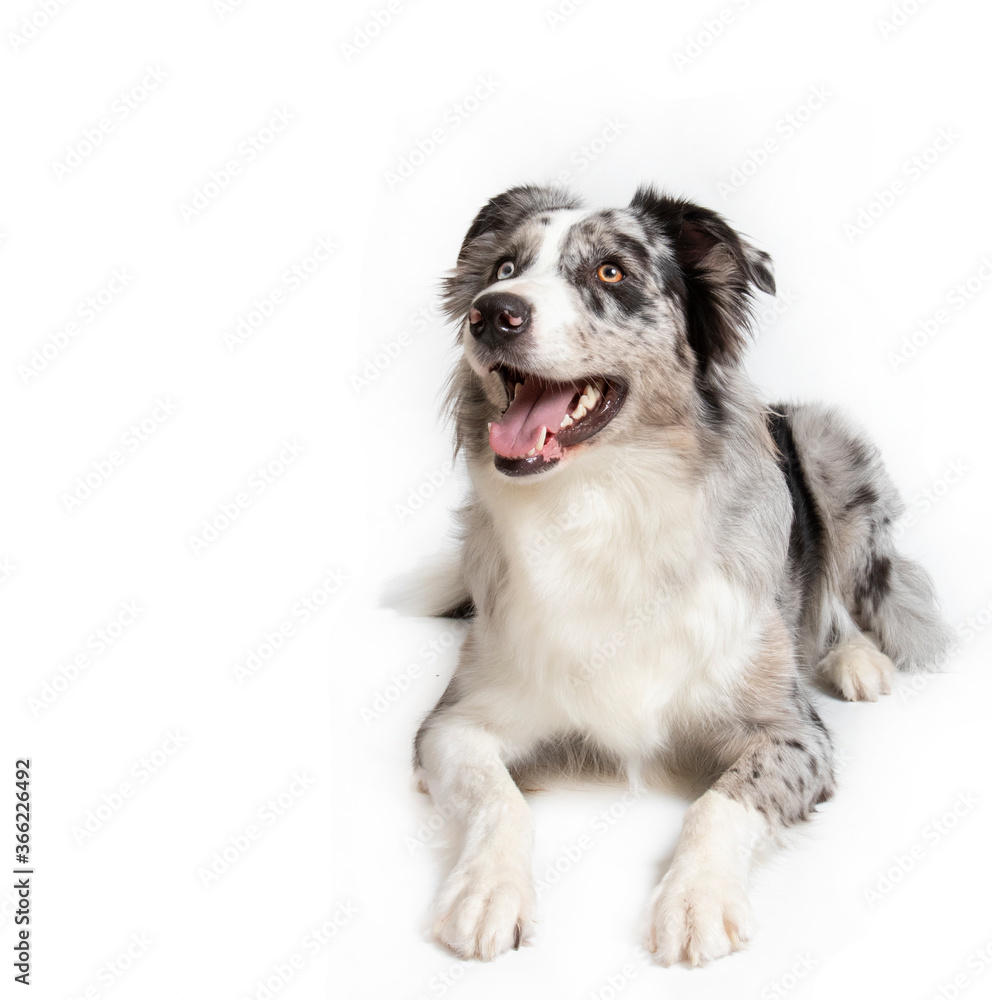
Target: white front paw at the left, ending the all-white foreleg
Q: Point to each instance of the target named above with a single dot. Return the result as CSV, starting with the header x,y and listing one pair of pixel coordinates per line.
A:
x,y
485,908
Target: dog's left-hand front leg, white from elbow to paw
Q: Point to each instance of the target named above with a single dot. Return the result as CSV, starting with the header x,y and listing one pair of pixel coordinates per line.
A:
x,y
487,902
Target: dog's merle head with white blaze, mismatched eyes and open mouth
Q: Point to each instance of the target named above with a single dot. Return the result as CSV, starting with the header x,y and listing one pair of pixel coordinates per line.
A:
x,y
581,326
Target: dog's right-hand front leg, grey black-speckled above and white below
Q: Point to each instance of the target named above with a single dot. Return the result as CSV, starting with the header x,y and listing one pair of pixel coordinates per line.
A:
x,y
700,910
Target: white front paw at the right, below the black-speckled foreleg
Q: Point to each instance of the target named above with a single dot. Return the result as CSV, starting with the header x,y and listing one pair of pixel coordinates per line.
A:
x,y
697,917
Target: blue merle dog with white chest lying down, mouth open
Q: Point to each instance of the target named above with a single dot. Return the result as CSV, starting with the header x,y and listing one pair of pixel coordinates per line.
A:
x,y
656,567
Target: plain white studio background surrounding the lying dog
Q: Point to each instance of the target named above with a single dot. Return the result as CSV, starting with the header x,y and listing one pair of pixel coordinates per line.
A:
x,y
344,843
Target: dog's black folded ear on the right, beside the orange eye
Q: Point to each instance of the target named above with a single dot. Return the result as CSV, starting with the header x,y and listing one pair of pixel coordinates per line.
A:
x,y
719,269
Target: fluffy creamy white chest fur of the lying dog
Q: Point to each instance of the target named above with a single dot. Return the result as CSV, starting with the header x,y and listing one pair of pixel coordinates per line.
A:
x,y
614,618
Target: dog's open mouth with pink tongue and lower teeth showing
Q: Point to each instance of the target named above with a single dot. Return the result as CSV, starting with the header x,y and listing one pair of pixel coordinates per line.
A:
x,y
543,418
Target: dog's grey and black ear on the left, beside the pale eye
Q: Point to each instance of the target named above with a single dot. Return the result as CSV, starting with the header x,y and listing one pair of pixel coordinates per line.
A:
x,y
496,220
